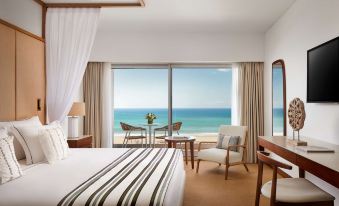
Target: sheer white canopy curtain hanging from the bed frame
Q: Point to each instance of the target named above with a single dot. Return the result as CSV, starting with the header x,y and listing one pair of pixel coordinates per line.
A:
x,y
70,35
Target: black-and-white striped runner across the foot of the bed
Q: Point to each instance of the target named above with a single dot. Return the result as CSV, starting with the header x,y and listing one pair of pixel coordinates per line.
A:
x,y
137,177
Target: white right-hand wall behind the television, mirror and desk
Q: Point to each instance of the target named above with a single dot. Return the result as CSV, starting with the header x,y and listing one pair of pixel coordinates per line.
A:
x,y
305,25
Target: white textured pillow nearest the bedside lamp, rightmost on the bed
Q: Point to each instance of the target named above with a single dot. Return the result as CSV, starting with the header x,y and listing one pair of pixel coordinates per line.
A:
x,y
54,144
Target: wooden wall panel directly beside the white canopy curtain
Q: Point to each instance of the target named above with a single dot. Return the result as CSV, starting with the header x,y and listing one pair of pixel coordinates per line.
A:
x,y
30,77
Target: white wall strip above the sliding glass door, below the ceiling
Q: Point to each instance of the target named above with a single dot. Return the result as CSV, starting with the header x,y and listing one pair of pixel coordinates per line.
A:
x,y
176,47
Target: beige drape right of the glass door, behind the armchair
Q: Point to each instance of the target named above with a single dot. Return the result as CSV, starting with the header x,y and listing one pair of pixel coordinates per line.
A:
x,y
252,114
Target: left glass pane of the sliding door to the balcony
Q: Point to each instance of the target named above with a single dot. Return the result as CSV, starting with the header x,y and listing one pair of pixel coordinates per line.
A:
x,y
137,92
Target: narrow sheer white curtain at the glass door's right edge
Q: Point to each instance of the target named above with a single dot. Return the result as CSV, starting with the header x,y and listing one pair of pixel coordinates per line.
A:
x,y
237,90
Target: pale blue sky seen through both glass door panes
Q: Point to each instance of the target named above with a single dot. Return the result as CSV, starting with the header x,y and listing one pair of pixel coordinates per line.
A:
x,y
192,88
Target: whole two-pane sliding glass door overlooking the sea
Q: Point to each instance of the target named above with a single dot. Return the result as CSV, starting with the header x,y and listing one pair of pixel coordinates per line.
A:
x,y
195,99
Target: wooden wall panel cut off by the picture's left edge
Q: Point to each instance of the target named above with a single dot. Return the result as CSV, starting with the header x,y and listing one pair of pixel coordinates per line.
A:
x,y
7,73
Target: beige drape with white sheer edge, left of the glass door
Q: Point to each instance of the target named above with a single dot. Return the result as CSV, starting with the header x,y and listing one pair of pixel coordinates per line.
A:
x,y
97,96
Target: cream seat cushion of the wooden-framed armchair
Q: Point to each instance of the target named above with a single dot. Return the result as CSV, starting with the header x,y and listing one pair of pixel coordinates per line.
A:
x,y
219,155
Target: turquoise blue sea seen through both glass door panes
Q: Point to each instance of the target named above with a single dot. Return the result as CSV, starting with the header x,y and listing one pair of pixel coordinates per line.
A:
x,y
194,120
